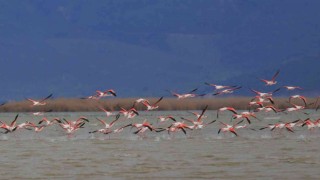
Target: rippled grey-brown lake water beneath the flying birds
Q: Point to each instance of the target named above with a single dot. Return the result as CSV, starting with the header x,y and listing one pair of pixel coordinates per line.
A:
x,y
202,154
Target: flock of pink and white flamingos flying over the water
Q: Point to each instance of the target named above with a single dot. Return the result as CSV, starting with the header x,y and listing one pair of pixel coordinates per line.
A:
x,y
261,102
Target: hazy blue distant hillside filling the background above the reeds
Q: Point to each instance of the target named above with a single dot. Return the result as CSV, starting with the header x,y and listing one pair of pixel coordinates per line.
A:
x,y
142,48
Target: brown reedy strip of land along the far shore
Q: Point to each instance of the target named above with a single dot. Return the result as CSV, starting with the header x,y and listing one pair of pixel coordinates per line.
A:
x,y
114,104
